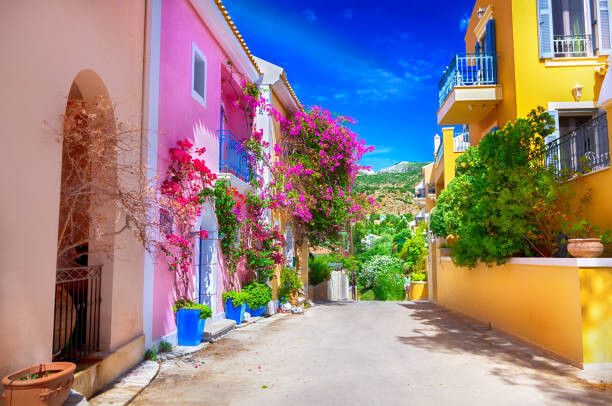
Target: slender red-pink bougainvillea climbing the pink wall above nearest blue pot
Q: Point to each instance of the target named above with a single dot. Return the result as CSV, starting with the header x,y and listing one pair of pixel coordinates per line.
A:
x,y
181,203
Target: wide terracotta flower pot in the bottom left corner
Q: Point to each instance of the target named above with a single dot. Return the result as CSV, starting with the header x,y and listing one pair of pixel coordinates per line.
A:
x,y
49,390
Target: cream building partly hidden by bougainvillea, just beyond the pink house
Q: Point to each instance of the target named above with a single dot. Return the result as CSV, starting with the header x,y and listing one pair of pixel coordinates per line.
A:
x,y
278,92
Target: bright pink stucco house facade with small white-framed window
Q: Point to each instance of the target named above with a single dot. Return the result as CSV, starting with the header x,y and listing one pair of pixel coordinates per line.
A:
x,y
188,28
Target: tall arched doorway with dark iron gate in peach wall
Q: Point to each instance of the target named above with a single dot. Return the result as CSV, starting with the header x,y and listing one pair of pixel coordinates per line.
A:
x,y
79,284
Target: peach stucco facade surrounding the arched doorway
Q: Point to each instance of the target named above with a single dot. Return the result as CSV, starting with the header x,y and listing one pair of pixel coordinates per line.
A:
x,y
53,48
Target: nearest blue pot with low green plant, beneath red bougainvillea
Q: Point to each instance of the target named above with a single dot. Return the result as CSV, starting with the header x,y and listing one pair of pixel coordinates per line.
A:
x,y
190,320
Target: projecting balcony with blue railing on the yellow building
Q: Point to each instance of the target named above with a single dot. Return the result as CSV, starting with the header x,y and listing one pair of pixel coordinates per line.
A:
x,y
469,89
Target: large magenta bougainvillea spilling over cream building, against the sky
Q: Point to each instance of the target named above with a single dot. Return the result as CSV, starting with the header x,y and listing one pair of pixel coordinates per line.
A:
x,y
313,169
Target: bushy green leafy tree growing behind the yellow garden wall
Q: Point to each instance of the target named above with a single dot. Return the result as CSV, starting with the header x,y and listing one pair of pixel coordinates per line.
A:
x,y
504,201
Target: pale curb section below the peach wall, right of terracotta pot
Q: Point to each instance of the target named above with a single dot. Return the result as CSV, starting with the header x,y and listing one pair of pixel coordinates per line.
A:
x,y
122,391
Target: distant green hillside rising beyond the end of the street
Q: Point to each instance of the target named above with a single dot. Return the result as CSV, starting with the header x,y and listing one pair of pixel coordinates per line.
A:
x,y
393,187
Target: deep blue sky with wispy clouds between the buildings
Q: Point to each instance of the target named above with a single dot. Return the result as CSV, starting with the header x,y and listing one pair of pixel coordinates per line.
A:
x,y
376,61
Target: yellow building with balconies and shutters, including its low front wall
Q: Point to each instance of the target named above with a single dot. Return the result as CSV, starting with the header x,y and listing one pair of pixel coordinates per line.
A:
x,y
521,54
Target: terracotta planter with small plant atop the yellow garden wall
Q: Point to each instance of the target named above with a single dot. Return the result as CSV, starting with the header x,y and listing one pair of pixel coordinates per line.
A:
x,y
586,240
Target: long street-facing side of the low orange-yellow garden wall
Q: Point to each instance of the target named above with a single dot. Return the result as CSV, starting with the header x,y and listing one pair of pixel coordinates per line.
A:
x,y
538,304
